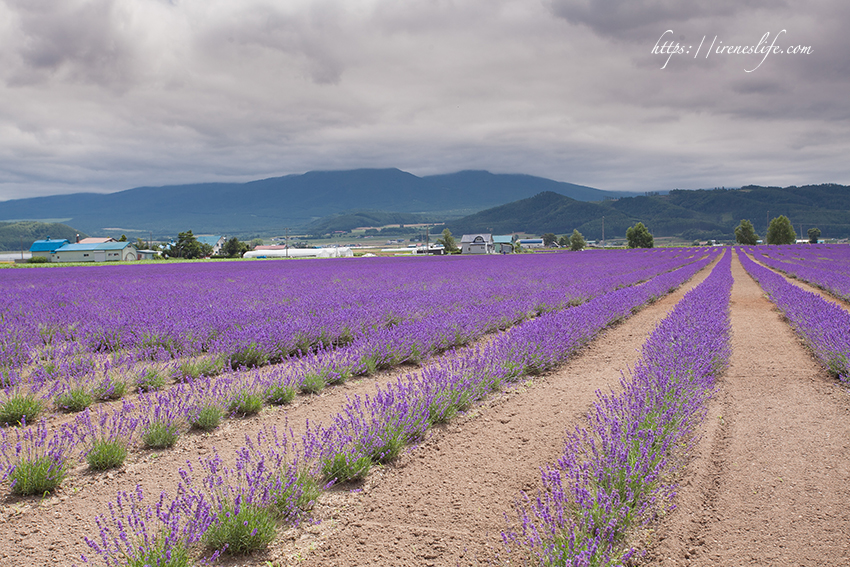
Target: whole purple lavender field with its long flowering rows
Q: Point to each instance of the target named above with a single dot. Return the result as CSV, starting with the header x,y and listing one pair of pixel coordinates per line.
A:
x,y
103,367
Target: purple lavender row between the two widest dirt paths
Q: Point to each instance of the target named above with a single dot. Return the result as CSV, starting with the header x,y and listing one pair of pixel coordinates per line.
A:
x,y
616,472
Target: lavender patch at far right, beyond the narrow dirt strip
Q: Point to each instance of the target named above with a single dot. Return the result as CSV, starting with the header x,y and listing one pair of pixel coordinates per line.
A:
x,y
826,265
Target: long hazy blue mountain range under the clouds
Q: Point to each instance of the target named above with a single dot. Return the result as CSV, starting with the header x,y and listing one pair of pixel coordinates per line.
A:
x,y
268,206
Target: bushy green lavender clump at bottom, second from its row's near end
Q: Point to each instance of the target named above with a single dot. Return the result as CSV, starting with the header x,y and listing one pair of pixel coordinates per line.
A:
x,y
251,528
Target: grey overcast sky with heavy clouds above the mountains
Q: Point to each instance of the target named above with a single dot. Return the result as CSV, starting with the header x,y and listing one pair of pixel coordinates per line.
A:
x,y
106,95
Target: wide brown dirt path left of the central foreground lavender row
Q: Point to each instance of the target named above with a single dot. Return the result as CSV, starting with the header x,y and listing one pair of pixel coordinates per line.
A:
x,y
444,504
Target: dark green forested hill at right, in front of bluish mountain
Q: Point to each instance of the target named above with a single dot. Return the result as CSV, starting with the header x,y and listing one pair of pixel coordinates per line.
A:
x,y
699,214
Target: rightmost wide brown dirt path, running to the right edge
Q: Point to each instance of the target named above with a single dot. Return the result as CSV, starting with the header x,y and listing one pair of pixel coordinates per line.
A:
x,y
771,483
